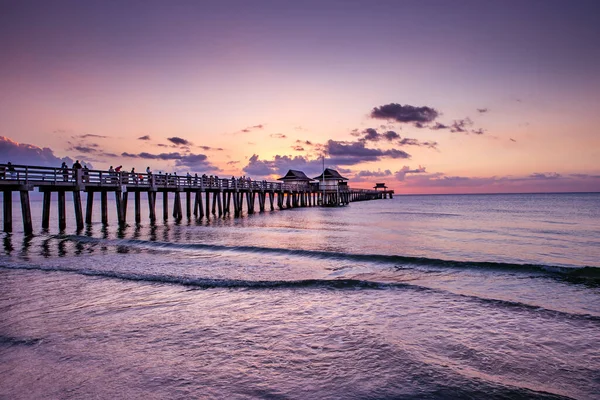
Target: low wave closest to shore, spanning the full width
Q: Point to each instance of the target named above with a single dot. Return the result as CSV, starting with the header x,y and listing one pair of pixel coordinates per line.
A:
x,y
331,284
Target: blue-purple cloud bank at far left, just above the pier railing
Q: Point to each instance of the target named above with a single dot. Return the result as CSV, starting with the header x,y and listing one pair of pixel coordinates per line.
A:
x,y
28,154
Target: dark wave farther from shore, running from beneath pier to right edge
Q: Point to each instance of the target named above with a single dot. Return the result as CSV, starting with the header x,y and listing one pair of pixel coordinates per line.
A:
x,y
588,273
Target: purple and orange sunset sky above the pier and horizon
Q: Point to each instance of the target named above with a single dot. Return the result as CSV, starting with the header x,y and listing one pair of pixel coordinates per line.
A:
x,y
426,96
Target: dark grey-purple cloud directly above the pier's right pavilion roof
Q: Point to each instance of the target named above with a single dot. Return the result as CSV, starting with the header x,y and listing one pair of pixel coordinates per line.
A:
x,y
350,153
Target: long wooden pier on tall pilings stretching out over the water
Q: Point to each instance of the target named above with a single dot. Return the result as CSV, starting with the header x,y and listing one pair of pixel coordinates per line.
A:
x,y
204,196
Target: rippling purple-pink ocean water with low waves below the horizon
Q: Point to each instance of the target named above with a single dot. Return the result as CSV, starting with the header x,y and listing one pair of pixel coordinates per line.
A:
x,y
419,297
